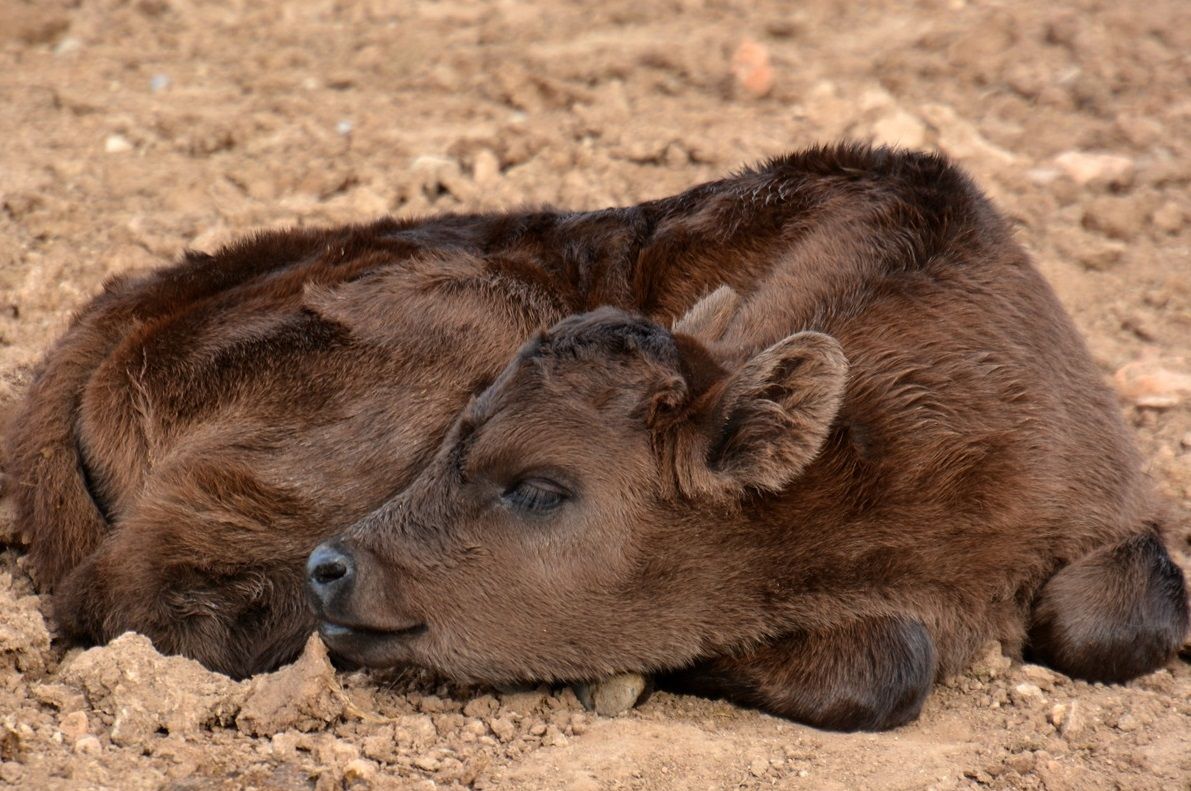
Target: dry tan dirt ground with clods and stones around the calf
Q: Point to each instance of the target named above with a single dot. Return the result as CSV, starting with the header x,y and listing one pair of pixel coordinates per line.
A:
x,y
134,129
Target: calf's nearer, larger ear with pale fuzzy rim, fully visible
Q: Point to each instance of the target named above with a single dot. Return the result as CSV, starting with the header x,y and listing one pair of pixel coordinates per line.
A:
x,y
775,414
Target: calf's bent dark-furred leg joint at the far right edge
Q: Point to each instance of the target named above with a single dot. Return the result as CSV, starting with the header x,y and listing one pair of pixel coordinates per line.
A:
x,y
1114,615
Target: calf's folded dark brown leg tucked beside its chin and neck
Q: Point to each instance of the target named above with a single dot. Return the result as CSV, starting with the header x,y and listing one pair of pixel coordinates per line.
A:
x,y
870,675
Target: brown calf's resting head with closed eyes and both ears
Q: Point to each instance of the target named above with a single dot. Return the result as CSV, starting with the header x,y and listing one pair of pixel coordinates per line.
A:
x,y
583,515
